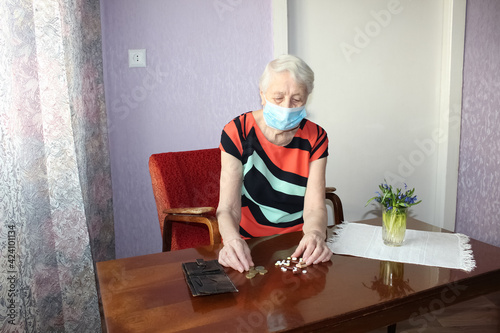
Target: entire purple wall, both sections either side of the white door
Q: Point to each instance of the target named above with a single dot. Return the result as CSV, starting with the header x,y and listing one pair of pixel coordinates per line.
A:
x,y
204,59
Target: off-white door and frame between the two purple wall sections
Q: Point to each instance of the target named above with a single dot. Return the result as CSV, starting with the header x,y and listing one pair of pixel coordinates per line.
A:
x,y
382,70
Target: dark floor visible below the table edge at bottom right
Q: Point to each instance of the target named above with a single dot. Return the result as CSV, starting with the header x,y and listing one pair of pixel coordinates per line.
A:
x,y
481,314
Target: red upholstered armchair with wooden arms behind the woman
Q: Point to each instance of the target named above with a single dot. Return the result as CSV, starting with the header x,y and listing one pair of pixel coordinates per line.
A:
x,y
186,191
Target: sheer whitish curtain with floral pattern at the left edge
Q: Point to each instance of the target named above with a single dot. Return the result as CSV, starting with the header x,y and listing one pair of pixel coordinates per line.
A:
x,y
55,187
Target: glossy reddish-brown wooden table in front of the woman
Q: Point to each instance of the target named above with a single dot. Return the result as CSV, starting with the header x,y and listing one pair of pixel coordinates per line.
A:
x,y
349,294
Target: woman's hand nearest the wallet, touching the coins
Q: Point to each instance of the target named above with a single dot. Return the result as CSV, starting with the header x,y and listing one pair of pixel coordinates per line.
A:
x,y
236,254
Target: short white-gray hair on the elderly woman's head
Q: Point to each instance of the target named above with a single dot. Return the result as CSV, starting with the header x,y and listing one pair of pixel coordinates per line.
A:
x,y
297,68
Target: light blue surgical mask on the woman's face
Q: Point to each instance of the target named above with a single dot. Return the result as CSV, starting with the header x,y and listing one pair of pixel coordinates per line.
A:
x,y
281,118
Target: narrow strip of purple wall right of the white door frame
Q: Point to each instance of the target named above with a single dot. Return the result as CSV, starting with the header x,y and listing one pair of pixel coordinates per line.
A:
x,y
478,203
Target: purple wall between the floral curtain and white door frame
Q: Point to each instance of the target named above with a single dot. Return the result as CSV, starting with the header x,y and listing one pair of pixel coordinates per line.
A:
x,y
204,59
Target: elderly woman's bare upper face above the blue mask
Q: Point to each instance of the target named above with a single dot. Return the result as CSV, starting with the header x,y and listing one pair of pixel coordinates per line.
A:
x,y
284,91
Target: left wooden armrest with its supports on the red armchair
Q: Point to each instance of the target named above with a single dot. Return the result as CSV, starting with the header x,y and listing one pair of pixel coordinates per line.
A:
x,y
209,220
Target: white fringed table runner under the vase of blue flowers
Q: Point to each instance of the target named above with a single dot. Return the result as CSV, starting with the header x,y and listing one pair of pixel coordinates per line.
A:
x,y
420,247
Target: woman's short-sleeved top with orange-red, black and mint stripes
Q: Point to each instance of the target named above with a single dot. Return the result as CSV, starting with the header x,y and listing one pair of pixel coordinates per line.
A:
x,y
274,177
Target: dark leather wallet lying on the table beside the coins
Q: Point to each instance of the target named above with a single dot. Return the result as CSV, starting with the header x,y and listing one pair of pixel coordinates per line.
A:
x,y
207,278
